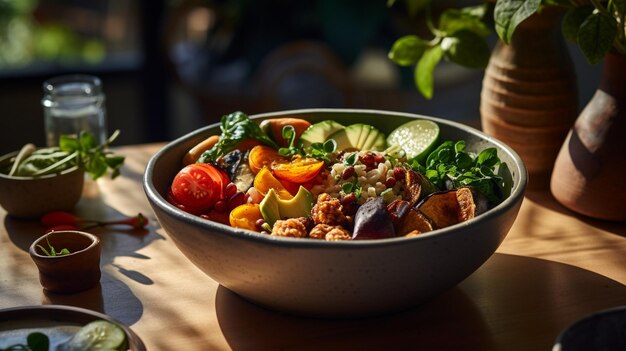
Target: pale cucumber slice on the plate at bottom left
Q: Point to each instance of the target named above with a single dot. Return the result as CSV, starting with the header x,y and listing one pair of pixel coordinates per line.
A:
x,y
97,335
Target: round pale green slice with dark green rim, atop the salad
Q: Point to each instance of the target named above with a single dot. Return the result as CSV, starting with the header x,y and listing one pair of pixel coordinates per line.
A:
x,y
417,138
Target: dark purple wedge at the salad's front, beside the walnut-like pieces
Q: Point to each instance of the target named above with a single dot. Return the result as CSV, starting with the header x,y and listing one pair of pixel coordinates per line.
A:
x,y
372,221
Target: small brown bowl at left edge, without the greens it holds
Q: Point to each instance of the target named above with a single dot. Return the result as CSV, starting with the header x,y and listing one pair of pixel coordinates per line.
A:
x,y
31,197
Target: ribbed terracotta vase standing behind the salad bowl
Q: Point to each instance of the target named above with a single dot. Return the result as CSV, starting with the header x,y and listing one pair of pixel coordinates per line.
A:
x,y
529,98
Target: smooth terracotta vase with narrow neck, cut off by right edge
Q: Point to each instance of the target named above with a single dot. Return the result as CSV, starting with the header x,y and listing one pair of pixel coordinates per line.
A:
x,y
590,170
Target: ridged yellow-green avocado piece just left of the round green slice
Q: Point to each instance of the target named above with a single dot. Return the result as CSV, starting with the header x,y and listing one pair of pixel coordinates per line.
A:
x,y
359,136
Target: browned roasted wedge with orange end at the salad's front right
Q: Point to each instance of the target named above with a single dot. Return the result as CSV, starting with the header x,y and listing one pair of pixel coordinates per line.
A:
x,y
447,208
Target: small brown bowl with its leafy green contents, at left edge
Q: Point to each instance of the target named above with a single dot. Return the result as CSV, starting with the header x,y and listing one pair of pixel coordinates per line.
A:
x,y
34,180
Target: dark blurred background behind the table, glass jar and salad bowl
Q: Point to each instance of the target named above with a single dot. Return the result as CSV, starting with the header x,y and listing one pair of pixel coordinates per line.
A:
x,y
171,66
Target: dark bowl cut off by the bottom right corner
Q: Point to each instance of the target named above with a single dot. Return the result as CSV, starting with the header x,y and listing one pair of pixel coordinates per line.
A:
x,y
603,330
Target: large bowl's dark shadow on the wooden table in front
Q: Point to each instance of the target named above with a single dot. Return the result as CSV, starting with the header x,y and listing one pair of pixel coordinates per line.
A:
x,y
511,298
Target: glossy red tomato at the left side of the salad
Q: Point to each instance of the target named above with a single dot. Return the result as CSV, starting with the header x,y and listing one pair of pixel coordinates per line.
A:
x,y
197,187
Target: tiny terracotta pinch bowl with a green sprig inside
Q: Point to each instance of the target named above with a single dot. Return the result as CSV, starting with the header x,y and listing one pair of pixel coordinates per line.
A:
x,y
77,271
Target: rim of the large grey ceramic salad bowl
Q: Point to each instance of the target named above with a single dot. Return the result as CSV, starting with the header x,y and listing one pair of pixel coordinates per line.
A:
x,y
517,192
